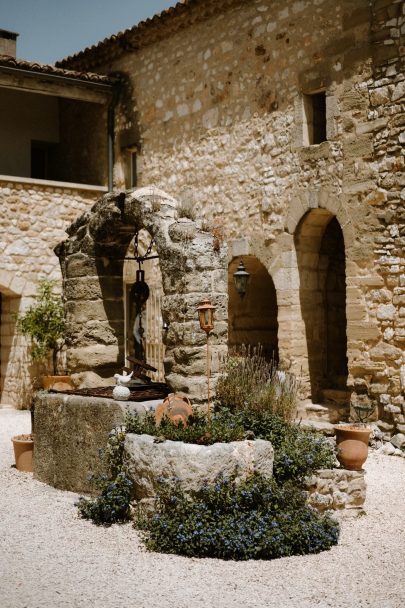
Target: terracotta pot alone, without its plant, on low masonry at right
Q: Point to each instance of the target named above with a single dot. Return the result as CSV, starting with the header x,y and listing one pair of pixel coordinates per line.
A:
x,y
352,446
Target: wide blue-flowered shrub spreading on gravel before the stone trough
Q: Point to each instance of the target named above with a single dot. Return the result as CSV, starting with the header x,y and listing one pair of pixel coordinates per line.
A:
x,y
256,519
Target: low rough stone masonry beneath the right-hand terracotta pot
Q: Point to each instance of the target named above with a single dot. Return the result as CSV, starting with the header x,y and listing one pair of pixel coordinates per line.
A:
x,y
336,489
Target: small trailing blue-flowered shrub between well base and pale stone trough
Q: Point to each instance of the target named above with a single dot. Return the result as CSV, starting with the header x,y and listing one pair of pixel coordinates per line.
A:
x,y
115,487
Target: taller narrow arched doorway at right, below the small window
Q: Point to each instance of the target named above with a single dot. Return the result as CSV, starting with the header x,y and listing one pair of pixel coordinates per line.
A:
x,y
322,277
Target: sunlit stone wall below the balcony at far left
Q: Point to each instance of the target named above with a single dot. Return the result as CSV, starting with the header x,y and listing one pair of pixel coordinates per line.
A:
x,y
33,219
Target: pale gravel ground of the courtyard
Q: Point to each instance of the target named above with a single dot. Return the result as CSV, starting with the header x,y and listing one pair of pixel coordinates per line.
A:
x,y
51,559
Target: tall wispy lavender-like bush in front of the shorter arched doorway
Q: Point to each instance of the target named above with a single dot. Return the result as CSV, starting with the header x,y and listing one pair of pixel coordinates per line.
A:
x,y
249,382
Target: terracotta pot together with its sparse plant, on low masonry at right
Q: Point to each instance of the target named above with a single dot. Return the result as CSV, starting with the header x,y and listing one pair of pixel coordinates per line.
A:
x,y
352,438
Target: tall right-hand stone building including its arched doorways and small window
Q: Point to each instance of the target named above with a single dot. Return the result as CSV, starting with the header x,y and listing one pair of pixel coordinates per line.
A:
x,y
280,123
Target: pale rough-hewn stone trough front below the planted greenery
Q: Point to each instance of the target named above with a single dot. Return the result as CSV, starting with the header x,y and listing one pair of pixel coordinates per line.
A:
x,y
191,464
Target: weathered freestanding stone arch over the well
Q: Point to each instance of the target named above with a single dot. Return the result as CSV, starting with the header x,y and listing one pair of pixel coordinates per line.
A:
x,y
192,267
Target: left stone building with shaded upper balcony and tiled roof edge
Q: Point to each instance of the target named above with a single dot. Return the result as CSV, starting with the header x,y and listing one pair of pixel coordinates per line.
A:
x,y
51,170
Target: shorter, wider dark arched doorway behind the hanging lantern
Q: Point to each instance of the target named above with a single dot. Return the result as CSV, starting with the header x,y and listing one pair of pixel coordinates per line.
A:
x,y
253,319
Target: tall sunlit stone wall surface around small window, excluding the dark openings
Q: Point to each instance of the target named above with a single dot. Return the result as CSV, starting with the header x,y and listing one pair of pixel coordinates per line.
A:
x,y
219,110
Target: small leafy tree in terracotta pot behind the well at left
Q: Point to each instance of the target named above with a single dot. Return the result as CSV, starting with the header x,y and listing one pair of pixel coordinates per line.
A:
x,y
44,324
